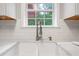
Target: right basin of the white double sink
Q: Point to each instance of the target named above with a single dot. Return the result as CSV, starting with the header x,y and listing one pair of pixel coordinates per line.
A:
x,y
47,49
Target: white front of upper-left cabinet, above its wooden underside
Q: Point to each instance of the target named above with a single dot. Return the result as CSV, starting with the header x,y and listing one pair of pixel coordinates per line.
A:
x,y
8,9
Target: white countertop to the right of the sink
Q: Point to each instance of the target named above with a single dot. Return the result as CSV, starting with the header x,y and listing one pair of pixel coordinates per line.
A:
x,y
70,47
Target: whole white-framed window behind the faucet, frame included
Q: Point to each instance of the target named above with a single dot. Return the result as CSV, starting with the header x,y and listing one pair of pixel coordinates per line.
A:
x,y
44,12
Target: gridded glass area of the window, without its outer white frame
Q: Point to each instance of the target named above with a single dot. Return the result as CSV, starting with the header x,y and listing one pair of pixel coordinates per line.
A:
x,y
43,12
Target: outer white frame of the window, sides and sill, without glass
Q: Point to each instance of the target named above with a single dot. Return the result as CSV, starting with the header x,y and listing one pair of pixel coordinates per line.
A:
x,y
24,18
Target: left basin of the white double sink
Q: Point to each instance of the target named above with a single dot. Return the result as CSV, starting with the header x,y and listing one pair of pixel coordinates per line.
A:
x,y
27,49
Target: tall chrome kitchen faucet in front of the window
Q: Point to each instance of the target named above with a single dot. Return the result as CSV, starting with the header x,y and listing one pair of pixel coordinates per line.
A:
x,y
38,30
